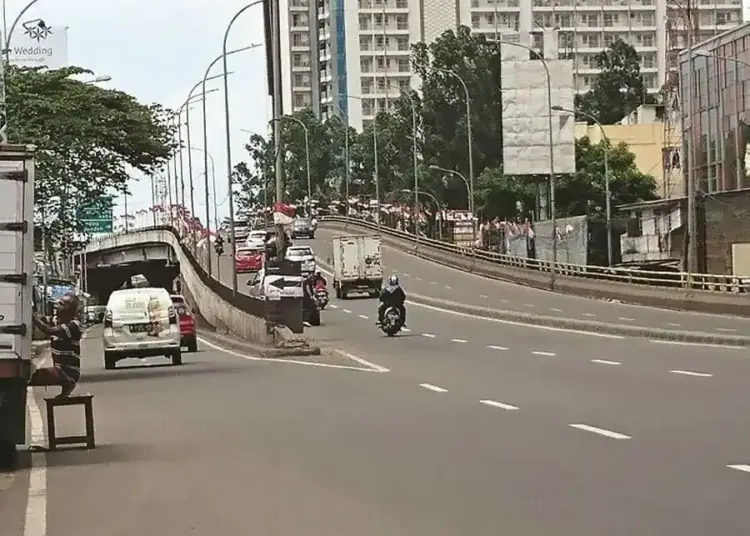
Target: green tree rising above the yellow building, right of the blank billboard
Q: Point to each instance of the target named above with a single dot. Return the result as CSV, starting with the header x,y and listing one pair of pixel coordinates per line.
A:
x,y
619,88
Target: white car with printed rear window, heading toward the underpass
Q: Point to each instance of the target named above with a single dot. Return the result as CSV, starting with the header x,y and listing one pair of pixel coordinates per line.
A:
x,y
140,322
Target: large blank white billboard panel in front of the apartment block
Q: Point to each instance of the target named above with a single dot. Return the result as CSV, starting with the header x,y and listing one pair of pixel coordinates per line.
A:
x,y
526,118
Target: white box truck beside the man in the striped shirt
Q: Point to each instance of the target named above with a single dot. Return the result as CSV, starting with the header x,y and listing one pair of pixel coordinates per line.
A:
x,y
16,293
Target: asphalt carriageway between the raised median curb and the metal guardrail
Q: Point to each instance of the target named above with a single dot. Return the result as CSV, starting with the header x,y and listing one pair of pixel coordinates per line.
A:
x,y
431,279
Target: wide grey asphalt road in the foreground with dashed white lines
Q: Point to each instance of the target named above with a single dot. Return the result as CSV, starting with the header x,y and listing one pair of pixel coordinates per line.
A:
x,y
478,428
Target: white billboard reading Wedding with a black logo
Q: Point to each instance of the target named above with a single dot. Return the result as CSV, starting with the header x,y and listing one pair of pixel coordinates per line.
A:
x,y
34,44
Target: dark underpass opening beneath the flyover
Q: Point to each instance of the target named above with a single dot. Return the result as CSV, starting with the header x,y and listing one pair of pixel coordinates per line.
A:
x,y
102,281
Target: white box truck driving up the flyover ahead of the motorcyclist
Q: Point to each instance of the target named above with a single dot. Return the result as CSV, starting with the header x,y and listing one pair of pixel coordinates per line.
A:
x,y
357,265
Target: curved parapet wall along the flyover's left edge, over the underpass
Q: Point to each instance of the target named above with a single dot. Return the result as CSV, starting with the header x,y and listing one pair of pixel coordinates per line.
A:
x,y
249,304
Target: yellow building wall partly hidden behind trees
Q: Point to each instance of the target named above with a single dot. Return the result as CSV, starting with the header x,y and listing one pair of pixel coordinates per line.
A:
x,y
647,142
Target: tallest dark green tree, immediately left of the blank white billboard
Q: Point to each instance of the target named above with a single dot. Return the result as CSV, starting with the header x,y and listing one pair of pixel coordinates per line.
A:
x,y
443,108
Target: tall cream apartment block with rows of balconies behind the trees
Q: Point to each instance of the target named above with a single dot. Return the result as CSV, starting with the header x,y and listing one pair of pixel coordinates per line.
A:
x,y
351,57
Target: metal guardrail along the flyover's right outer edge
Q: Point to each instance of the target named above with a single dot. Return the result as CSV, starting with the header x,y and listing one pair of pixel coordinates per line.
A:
x,y
705,282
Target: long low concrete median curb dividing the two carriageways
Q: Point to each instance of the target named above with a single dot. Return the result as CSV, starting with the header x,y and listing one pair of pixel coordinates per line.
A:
x,y
582,325
